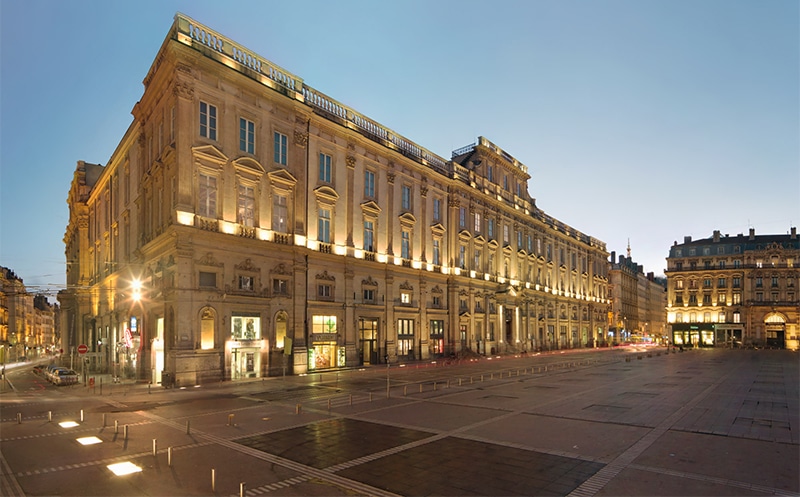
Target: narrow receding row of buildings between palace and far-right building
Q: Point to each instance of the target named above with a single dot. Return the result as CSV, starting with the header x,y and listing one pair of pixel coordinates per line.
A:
x,y
638,303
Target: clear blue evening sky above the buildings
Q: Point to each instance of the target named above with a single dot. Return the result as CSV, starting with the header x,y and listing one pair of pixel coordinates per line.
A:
x,y
645,120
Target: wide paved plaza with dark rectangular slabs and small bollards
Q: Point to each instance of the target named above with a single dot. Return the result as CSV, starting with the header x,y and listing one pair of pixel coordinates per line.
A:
x,y
585,423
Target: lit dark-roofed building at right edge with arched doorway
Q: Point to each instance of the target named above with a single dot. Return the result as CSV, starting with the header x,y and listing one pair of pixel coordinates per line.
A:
x,y
728,290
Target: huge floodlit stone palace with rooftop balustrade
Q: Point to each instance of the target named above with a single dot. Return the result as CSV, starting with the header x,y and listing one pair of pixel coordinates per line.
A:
x,y
249,225
